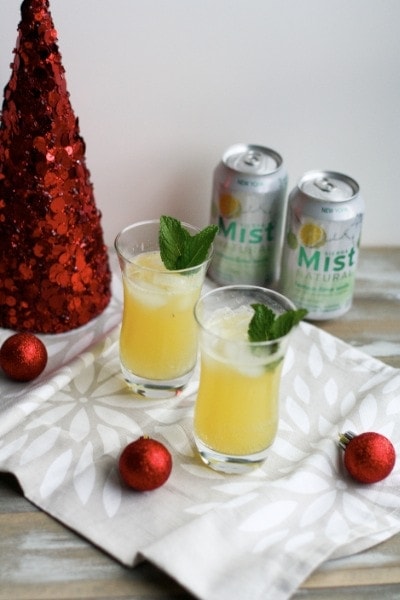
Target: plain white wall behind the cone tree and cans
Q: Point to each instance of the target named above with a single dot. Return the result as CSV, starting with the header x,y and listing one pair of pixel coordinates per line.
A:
x,y
162,87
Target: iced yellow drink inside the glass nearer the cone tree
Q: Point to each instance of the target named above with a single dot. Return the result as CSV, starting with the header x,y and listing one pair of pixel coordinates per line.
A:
x,y
159,334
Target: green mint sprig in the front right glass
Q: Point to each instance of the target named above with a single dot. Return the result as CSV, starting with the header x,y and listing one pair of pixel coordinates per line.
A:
x,y
265,325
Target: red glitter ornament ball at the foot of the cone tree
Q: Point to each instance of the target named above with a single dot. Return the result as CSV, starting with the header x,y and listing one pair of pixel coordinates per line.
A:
x,y
23,356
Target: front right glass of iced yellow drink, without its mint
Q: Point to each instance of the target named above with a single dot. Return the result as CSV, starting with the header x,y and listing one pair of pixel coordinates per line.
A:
x,y
237,406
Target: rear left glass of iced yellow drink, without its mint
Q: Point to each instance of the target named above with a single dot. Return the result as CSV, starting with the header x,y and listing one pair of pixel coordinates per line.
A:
x,y
158,340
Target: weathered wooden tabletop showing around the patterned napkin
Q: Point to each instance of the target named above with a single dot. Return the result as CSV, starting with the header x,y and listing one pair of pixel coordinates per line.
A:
x,y
41,559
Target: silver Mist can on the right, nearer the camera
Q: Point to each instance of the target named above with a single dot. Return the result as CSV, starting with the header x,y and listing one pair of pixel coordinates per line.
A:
x,y
321,245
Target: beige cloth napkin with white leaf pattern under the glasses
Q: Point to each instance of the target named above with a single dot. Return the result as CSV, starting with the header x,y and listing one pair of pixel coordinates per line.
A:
x,y
223,537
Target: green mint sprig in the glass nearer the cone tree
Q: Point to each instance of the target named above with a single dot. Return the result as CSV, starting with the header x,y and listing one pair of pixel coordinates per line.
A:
x,y
179,249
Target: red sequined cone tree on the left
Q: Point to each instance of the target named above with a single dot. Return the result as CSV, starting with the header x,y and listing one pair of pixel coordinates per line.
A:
x,y
54,272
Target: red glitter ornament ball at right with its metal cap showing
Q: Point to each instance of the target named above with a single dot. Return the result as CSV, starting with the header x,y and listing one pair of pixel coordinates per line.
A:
x,y
368,457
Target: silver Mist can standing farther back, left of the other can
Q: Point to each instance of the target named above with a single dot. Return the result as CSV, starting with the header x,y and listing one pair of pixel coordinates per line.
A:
x,y
248,205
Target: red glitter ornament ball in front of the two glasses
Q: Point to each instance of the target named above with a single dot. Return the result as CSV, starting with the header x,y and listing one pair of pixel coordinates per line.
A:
x,y
145,464
